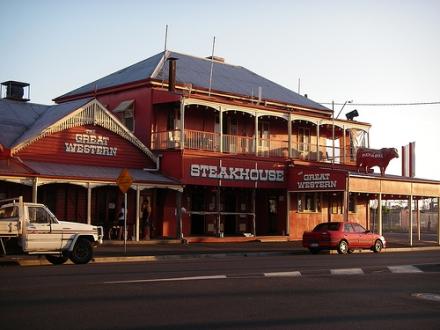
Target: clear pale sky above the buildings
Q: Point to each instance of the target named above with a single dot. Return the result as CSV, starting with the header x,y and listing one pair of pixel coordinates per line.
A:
x,y
371,52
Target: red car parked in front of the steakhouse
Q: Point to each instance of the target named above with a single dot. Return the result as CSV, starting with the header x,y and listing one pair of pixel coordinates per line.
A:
x,y
342,236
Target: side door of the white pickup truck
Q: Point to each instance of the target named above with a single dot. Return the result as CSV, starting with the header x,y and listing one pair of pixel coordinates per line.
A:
x,y
40,234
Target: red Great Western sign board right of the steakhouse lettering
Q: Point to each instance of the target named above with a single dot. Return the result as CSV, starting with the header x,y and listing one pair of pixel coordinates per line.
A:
x,y
305,179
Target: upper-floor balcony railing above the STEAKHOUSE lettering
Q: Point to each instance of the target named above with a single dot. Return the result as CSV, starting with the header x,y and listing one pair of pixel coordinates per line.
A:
x,y
234,144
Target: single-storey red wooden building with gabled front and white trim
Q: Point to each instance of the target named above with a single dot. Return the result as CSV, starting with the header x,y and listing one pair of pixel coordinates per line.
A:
x,y
69,156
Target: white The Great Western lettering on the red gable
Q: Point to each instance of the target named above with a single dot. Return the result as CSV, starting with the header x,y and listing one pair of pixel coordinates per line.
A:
x,y
90,143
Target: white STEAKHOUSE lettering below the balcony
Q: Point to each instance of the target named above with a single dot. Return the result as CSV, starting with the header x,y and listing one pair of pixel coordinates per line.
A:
x,y
236,173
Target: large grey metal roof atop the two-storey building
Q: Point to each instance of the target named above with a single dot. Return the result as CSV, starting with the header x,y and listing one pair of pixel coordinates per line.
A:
x,y
196,71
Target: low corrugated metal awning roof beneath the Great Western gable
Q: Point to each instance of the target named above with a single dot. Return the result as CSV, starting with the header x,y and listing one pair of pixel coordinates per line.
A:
x,y
96,173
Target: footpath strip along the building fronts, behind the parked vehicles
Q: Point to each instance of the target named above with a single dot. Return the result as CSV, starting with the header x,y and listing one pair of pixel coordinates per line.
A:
x,y
156,250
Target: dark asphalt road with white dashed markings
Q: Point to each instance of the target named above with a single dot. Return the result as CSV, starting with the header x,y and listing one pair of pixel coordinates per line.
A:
x,y
360,291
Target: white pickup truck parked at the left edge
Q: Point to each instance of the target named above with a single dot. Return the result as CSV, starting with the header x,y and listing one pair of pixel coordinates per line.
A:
x,y
36,230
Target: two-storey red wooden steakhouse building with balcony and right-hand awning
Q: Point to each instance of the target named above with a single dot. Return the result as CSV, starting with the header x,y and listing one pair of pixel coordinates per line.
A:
x,y
252,157
